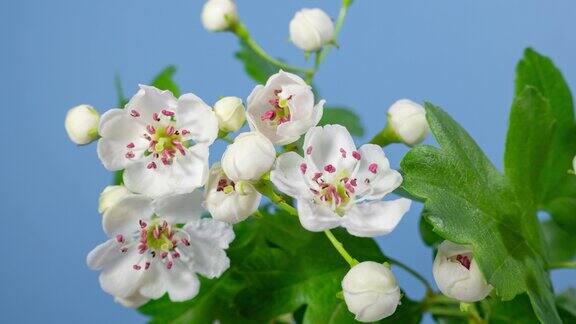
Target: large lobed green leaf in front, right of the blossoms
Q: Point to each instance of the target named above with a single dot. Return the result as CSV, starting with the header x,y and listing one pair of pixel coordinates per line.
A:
x,y
471,202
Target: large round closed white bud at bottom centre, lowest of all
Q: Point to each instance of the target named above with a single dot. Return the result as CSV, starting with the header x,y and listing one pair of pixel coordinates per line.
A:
x,y
370,291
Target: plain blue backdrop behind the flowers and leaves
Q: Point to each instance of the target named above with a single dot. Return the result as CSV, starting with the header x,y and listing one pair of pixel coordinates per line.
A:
x,y
57,54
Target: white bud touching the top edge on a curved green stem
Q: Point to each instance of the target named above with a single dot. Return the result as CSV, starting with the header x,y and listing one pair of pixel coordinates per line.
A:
x,y
218,15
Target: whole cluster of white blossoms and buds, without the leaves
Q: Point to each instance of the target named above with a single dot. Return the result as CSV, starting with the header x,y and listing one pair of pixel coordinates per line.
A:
x,y
172,218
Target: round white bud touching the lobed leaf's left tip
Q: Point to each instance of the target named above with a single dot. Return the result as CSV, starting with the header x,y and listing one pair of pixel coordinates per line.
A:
x,y
408,121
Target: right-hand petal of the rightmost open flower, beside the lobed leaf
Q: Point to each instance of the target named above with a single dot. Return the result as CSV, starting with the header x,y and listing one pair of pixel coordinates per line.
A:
x,y
375,185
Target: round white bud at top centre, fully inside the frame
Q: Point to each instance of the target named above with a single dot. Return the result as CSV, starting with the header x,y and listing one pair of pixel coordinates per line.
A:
x,y
310,29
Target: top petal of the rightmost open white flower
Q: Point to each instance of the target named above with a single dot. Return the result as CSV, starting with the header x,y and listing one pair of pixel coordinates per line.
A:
x,y
325,144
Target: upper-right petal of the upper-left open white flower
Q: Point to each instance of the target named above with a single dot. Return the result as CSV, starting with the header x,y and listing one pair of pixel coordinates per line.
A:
x,y
198,118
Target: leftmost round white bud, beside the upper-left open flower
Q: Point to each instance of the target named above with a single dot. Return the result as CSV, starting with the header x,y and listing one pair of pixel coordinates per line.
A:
x,y
81,124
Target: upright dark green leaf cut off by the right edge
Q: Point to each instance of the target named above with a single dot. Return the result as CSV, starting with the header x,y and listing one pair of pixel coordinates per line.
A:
x,y
548,158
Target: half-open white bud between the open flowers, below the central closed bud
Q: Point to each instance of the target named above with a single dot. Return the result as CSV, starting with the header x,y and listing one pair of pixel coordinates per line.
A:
x,y
230,201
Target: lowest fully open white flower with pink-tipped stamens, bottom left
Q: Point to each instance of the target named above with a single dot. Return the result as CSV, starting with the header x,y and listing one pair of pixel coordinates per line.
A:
x,y
148,255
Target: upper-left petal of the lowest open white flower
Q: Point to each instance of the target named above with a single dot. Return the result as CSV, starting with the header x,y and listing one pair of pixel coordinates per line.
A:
x,y
123,217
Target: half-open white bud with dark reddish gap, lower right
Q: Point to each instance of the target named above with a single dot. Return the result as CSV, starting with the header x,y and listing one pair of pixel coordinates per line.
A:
x,y
457,273
